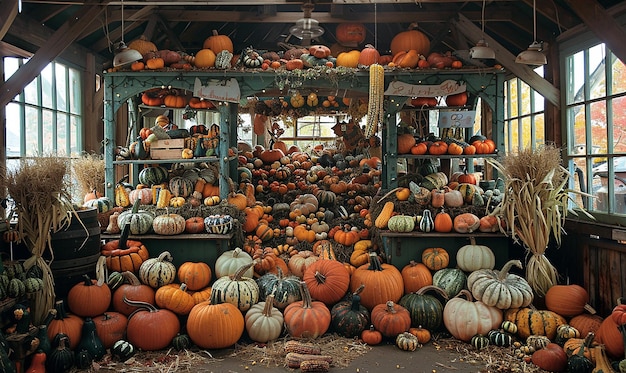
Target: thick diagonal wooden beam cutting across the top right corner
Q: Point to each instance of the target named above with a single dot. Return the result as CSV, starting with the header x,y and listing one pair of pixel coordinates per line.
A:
x,y
602,24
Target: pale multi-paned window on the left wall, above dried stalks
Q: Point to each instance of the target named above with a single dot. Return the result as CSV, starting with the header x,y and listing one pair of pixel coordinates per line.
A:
x,y
46,116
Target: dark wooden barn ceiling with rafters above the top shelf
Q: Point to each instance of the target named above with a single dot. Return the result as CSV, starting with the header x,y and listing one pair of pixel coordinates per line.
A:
x,y
183,25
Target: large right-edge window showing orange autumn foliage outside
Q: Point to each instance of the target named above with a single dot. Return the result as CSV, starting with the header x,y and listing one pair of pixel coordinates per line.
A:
x,y
595,112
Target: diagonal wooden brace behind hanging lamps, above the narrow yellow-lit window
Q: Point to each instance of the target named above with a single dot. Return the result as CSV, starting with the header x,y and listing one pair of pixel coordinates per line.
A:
x,y
507,59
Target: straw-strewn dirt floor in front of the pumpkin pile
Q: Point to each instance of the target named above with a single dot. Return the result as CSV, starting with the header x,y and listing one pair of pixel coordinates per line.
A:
x,y
438,356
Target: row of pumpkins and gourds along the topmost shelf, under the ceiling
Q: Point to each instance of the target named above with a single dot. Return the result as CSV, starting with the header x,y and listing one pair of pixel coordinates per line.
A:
x,y
408,49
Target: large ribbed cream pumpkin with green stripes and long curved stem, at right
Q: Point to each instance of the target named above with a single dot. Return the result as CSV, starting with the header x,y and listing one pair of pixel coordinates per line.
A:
x,y
500,289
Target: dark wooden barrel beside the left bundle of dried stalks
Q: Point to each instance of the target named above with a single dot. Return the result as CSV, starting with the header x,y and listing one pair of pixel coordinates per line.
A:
x,y
76,250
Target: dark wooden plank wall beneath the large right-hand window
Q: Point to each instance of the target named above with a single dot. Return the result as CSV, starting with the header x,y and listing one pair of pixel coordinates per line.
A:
x,y
594,260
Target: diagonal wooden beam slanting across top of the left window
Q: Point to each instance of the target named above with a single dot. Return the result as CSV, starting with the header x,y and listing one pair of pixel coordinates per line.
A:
x,y
63,37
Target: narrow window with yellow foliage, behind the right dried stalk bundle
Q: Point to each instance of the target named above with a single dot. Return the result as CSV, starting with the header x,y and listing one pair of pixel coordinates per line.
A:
x,y
524,115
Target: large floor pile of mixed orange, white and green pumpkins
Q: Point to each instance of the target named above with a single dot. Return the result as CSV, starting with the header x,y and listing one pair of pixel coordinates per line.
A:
x,y
151,304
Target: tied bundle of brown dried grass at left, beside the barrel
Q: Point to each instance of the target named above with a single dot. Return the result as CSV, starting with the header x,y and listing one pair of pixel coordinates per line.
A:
x,y
40,189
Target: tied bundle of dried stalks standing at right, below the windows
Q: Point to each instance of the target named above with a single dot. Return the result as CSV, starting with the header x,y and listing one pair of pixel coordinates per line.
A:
x,y
535,206
